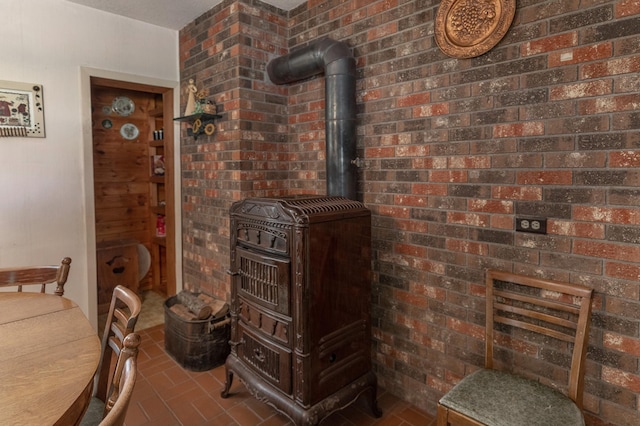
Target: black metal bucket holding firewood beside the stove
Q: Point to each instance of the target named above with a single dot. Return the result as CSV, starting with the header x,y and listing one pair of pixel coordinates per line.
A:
x,y
197,345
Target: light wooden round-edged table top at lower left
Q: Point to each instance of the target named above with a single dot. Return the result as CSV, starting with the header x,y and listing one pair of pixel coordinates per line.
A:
x,y
49,354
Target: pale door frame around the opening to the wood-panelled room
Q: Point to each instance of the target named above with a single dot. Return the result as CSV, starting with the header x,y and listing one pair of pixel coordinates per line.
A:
x,y
132,82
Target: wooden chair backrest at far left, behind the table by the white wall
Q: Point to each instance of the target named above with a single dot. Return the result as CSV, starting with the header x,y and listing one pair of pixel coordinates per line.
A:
x,y
37,275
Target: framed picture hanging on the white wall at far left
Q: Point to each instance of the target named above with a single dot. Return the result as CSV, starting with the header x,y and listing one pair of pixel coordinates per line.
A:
x,y
21,109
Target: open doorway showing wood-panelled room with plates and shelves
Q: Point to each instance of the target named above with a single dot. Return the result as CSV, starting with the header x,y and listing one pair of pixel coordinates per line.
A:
x,y
134,194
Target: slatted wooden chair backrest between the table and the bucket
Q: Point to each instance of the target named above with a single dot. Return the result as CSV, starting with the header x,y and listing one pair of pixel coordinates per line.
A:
x,y
121,321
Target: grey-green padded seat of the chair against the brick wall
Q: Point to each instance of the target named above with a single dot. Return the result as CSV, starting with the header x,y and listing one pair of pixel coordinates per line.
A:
x,y
497,398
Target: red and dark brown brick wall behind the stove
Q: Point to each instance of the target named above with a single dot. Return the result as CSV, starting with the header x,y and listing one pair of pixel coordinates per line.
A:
x,y
545,125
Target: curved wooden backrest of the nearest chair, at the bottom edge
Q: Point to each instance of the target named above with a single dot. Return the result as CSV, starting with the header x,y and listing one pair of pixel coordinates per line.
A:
x,y
124,379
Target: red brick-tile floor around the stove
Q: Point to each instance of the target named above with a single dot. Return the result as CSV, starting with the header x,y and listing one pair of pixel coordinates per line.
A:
x,y
167,394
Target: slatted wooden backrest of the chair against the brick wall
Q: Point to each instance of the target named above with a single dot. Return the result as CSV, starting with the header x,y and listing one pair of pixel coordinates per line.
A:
x,y
519,305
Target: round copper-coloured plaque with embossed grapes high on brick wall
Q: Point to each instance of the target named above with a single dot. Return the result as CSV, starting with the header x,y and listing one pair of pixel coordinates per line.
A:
x,y
469,28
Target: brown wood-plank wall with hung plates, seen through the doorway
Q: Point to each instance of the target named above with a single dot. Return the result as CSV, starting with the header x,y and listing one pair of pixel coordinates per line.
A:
x,y
122,168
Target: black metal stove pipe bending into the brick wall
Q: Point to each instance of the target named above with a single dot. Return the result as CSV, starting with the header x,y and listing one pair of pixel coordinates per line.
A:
x,y
337,62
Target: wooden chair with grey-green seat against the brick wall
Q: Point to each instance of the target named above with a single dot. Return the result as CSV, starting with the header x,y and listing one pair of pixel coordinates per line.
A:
x,y
542,317
